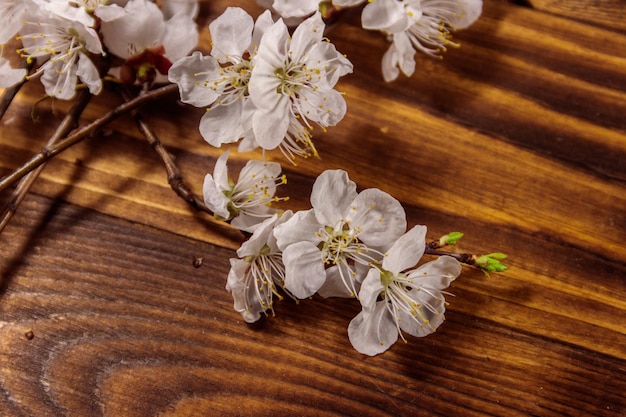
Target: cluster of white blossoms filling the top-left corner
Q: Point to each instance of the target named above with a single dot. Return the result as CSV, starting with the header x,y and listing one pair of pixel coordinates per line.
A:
x,y
65,40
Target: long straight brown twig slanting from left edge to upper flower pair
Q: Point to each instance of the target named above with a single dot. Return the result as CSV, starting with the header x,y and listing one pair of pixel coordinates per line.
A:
x,y
48,153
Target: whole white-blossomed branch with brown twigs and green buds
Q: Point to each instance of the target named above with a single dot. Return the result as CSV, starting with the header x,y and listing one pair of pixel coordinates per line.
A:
x,y
266,84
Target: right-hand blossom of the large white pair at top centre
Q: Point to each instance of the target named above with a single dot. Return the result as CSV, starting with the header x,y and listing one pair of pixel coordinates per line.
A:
x,y
294,77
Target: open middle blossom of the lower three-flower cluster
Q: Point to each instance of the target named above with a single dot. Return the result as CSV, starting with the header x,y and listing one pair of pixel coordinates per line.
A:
x,y
327,249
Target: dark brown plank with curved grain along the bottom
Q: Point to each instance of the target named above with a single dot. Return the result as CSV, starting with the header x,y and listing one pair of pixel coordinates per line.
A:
x,y
130,327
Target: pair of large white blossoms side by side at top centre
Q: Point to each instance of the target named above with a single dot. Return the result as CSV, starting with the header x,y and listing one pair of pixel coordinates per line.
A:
x,y
262,85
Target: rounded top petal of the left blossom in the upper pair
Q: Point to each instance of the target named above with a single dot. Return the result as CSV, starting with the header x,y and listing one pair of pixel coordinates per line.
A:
x,y
231,34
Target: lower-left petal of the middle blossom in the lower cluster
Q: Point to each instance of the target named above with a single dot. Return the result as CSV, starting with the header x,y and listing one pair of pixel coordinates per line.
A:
x,y
304,269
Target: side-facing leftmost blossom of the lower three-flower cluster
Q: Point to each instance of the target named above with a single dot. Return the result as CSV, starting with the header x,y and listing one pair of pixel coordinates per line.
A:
x,y
254,279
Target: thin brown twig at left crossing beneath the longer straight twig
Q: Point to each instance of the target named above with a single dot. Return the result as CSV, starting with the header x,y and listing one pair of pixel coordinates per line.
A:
x,y
67,124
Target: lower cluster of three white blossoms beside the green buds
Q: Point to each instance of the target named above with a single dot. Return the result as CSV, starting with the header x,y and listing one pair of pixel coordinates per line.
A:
x,y
349,244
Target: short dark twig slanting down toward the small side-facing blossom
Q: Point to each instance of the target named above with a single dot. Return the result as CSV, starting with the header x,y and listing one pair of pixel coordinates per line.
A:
x,y
174,177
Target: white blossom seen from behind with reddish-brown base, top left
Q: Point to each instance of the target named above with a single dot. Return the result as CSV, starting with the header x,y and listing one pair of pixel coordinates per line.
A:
x,y
147,41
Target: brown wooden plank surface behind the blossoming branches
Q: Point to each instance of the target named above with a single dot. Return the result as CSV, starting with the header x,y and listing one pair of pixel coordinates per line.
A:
x,y
517,139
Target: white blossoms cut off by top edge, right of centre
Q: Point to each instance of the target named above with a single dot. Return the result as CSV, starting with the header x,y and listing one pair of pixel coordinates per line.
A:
x,y
411,25
